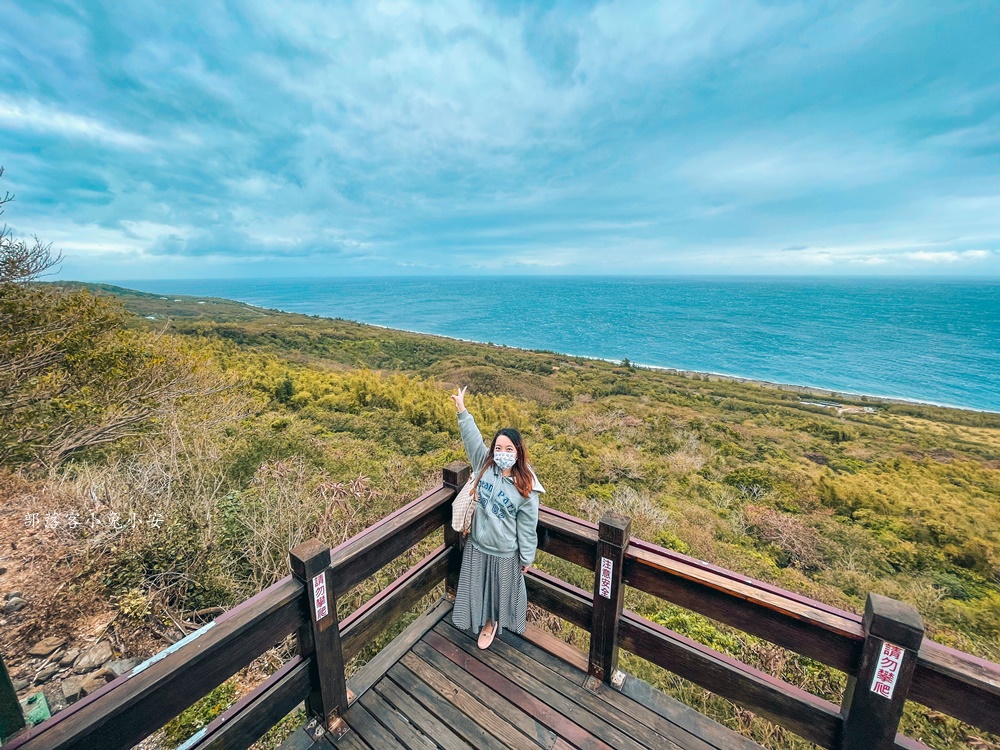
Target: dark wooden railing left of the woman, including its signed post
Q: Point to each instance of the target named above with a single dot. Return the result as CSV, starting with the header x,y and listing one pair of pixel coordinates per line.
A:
x,y
141,701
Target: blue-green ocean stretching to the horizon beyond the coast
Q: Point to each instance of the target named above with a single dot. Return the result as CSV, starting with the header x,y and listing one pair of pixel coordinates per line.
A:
x,y
935,341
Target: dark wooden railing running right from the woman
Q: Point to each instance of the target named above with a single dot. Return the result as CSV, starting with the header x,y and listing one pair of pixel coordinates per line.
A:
x,y
944,679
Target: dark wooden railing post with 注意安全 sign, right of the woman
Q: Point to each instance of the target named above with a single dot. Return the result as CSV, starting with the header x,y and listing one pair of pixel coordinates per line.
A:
x,y
612,539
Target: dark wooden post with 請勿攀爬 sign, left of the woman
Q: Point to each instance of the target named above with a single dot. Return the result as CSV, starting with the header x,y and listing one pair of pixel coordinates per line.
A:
x,y
328,698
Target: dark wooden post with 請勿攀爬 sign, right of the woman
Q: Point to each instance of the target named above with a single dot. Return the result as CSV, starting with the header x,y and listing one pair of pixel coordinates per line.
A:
x,y
874,699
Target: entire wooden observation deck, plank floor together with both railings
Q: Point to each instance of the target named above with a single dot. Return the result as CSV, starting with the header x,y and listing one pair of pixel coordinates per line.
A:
x,y
432,687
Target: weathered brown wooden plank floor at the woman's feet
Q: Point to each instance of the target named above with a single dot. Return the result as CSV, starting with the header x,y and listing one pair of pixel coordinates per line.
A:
x,y
433,688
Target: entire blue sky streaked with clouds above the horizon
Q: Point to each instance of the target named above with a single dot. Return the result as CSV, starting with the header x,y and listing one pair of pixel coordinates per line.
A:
x,y
256,139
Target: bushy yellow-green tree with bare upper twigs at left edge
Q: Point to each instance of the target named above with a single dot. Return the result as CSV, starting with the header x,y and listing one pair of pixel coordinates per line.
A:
x,y
72,375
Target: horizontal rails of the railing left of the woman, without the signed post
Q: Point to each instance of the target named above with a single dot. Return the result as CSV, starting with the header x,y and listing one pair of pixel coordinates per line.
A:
x,y
134,705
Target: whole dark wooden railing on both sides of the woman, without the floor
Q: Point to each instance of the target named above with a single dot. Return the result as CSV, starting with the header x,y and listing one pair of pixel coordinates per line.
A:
x,y
305,603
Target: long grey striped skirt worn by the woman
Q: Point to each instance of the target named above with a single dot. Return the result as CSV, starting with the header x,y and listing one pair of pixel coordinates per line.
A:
x,y
490,588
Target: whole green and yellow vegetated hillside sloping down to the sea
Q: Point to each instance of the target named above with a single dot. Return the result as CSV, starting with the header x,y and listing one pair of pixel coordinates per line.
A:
x,y
242,432
